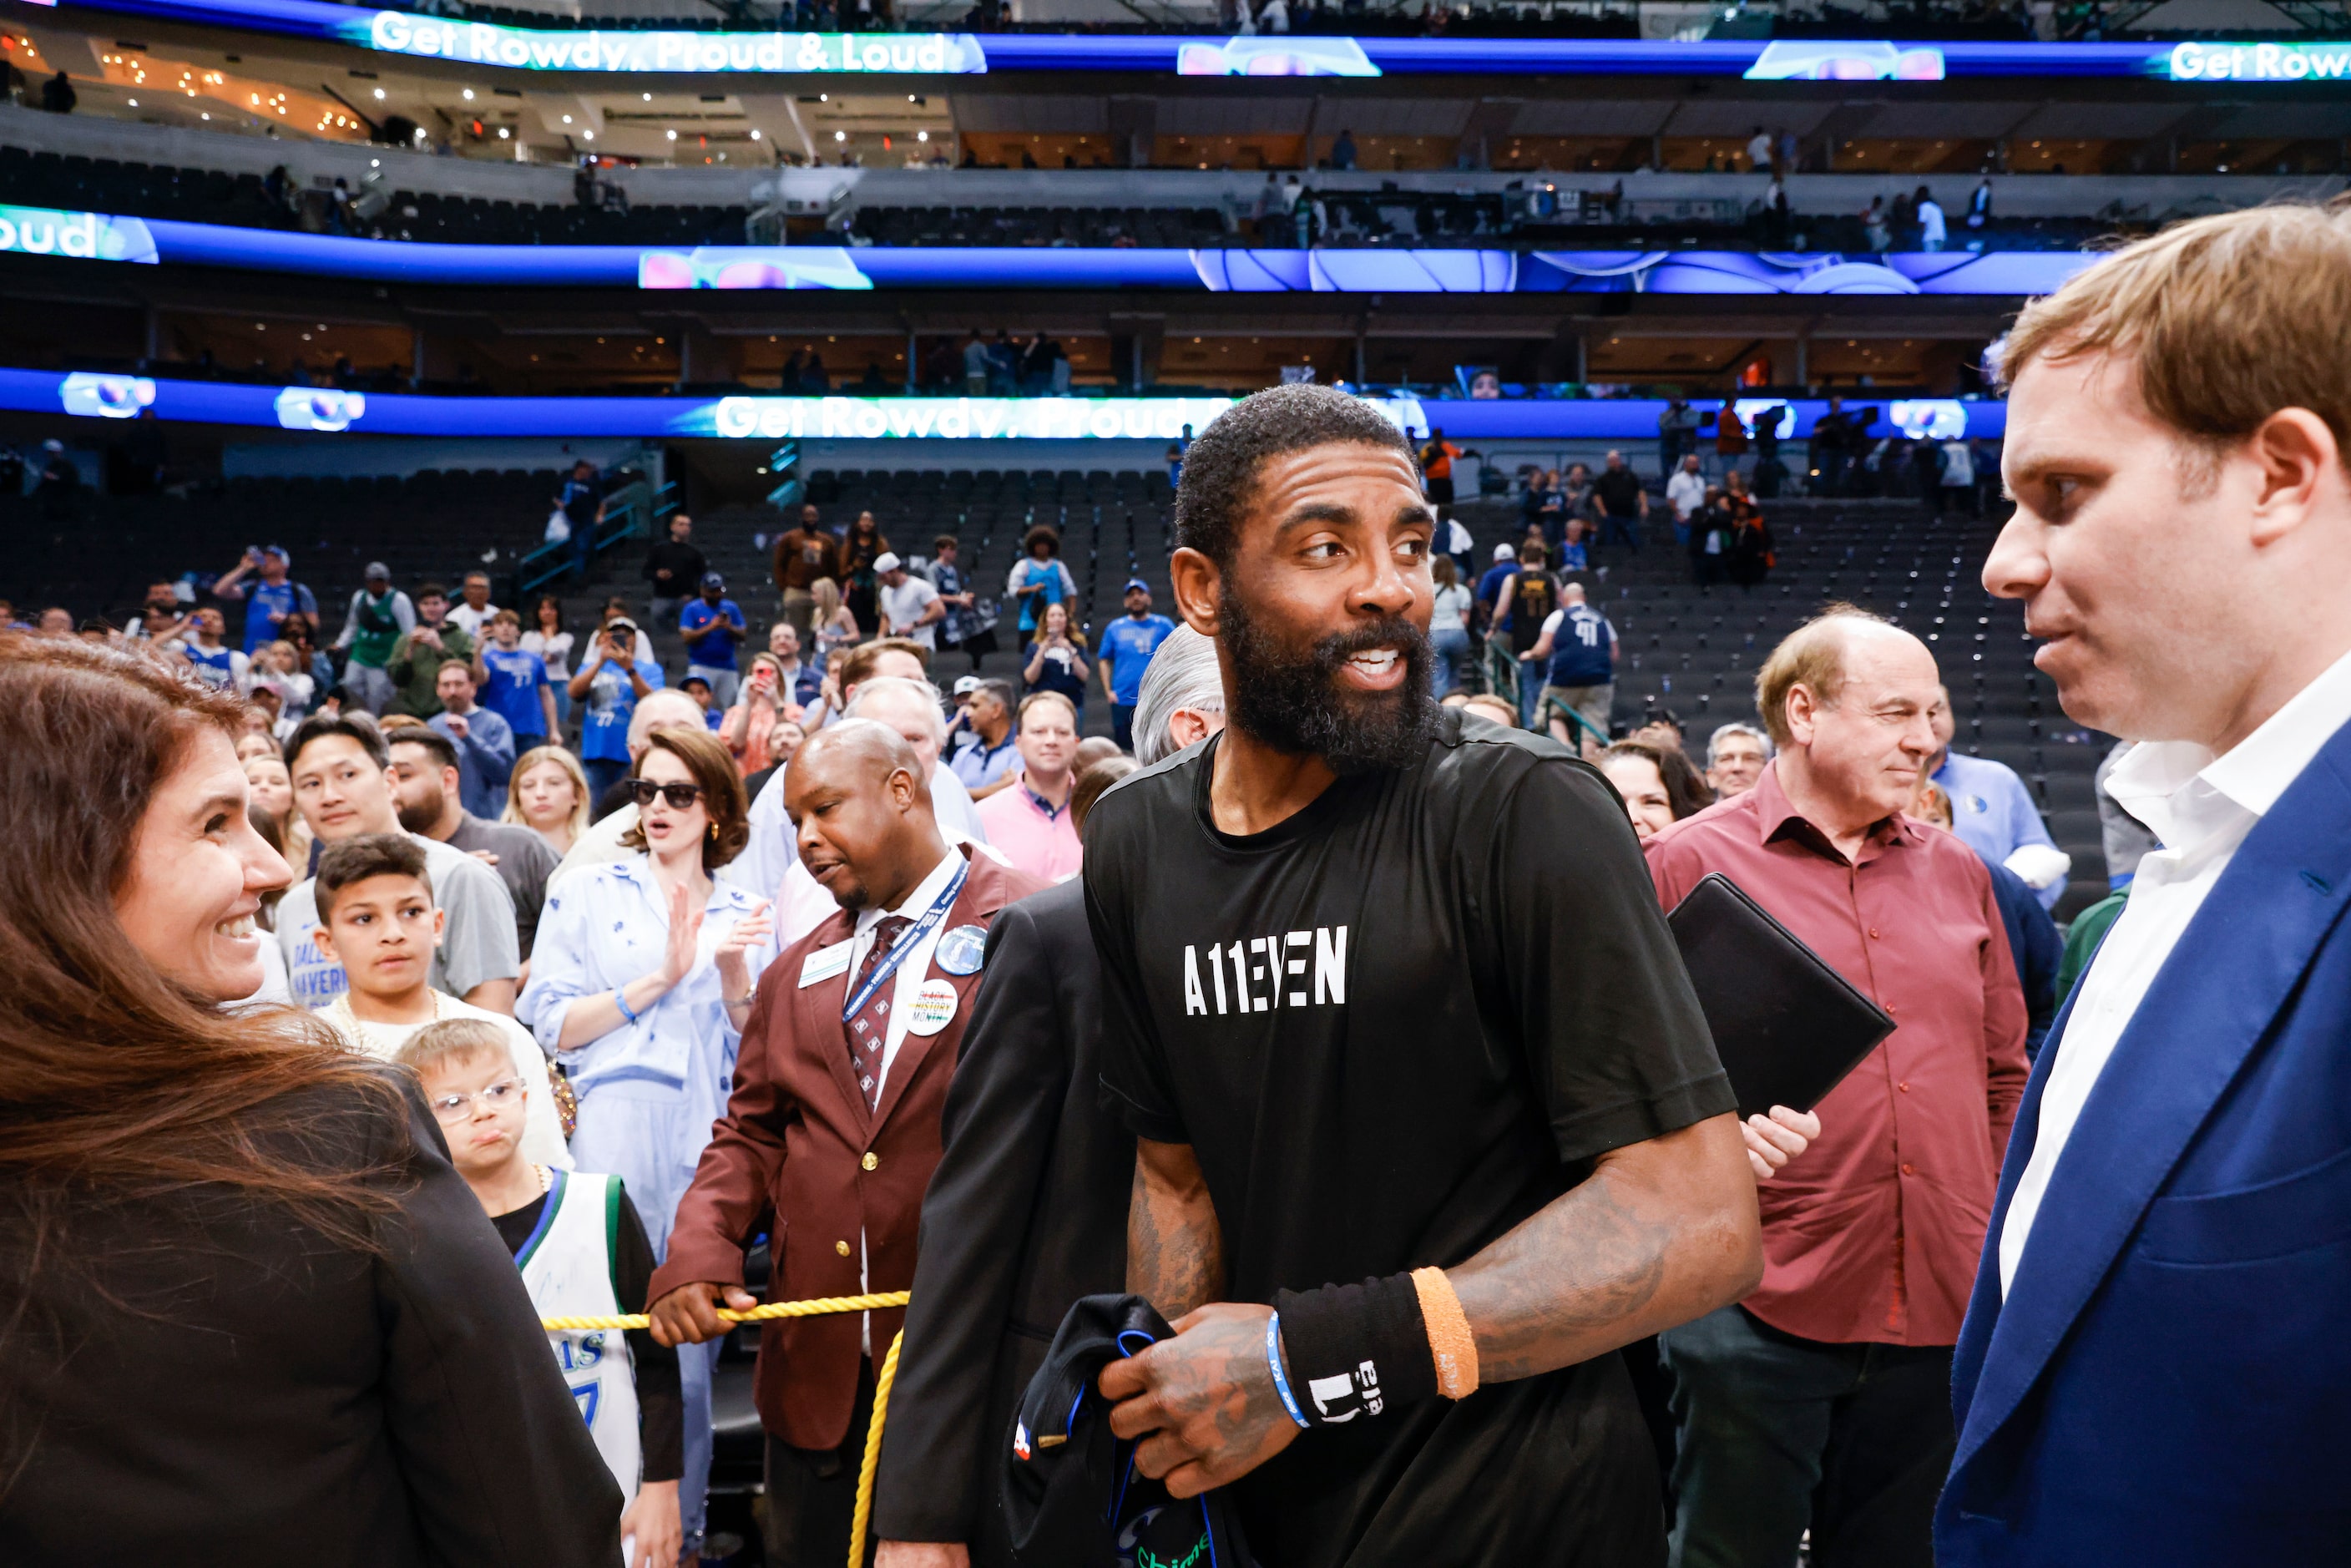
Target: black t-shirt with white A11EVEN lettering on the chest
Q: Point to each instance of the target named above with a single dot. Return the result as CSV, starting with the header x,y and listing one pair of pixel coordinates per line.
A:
x,y
1393,1028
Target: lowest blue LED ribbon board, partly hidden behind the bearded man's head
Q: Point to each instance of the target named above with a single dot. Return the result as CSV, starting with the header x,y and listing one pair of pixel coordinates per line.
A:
x,y
335,413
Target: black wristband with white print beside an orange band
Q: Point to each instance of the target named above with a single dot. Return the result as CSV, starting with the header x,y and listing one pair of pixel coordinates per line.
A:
x,y
1355,1351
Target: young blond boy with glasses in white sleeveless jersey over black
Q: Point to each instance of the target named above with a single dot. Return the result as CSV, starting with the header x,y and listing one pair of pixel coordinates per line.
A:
x,y
582,1252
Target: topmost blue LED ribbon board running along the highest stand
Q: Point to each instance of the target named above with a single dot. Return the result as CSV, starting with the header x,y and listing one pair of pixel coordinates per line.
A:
x,y
690,53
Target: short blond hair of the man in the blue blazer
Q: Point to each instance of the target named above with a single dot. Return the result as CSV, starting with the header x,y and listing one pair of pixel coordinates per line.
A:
x,y
2230,321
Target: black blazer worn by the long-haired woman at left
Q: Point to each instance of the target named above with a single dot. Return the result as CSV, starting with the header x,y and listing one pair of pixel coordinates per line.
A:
x,y
274,1400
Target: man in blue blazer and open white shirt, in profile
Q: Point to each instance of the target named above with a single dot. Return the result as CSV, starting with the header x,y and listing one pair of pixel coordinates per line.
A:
x,y
2157,1358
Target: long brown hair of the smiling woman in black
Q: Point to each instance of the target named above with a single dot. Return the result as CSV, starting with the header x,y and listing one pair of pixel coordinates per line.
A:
x,y
116,1085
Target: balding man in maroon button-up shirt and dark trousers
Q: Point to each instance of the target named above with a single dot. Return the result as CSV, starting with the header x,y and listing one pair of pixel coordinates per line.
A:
x,y
1823,1400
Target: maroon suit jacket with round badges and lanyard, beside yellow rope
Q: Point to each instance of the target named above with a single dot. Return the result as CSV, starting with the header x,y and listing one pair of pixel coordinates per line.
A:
x,y
801,1158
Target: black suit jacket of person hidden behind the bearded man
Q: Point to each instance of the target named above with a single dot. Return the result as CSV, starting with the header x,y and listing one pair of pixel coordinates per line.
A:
x,y
1026,1214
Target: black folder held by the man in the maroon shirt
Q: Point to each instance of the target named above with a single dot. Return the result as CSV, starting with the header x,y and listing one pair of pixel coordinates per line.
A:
x,y
1786,1026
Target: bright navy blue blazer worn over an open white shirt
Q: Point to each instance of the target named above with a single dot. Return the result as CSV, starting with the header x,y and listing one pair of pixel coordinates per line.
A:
x,y
2164,1379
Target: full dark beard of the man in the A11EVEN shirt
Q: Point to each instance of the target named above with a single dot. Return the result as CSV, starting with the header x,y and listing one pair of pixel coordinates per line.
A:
x,y
1294,702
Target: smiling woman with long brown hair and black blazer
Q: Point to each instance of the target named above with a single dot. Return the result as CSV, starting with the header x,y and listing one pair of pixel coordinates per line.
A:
x,y
253,1313
